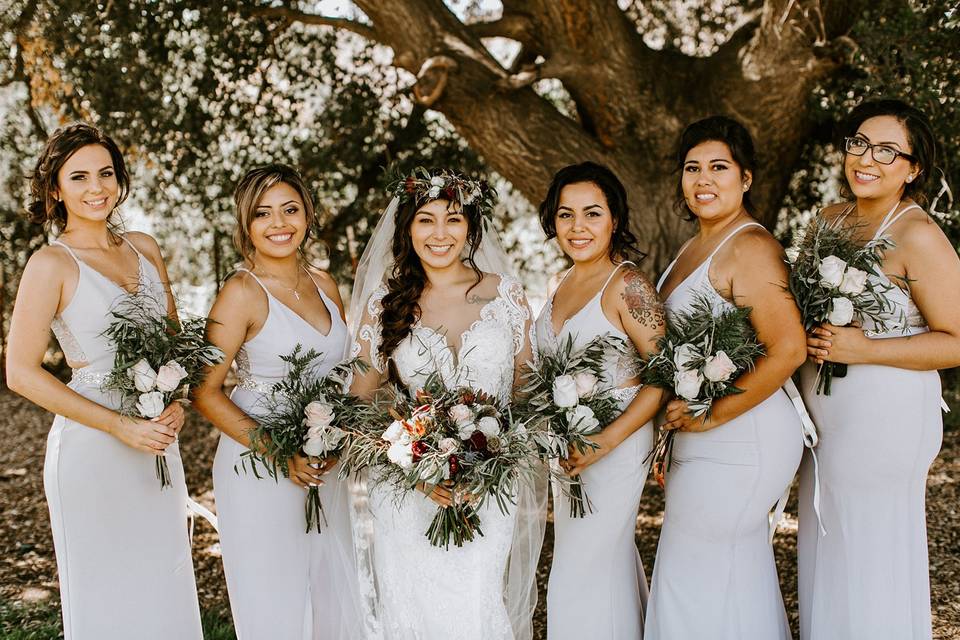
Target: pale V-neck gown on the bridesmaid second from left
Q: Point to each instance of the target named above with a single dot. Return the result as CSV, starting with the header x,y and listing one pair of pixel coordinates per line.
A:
x,y
283,582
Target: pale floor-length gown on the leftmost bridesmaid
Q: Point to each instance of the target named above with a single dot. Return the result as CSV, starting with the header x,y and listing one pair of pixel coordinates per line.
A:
x,y
123,553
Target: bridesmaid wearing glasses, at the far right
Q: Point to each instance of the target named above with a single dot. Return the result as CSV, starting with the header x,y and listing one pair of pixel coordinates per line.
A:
x,y
881,427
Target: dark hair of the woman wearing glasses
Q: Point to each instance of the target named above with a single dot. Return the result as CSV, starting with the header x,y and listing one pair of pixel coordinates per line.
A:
x,y
923,144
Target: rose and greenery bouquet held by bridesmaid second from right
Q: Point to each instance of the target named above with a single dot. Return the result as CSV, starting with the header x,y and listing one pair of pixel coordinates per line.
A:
x,y
699,357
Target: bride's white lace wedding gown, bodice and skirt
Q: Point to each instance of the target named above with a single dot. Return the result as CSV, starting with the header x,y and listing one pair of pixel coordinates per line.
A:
x,y
430,593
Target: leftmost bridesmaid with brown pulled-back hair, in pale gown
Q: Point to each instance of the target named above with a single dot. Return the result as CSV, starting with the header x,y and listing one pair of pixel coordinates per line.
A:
x,y
123,552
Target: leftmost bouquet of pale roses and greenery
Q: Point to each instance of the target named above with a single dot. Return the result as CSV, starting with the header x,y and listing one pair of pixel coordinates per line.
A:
x,y
157,360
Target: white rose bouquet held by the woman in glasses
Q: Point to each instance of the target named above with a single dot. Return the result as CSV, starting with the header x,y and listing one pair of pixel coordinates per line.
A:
x,y
829,280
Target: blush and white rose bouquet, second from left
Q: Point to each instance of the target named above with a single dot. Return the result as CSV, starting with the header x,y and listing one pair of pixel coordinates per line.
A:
x,y
308,414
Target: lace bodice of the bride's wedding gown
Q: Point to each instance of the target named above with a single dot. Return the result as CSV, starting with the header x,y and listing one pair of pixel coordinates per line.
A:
x,y
488,348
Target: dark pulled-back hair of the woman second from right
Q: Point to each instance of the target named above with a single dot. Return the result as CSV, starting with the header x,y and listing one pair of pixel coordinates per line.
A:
x,y
716,129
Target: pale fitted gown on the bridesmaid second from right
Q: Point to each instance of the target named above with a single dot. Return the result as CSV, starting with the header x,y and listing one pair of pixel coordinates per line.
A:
x,y
714,575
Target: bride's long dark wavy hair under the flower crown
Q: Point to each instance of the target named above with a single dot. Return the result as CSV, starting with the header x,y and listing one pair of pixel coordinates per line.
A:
x,y
401,304
